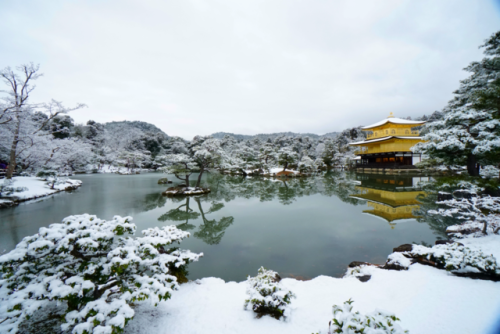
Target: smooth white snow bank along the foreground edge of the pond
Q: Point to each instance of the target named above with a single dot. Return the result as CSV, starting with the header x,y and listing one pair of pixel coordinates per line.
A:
x,y
427,300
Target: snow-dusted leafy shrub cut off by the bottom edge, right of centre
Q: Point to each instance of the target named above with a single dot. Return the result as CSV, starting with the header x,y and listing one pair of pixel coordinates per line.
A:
x,y
349,322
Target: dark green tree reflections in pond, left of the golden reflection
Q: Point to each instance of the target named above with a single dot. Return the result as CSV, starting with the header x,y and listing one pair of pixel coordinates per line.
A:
x,y
226,188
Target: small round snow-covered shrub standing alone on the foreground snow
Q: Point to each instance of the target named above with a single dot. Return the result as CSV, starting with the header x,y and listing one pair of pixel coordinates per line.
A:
x,y
267,295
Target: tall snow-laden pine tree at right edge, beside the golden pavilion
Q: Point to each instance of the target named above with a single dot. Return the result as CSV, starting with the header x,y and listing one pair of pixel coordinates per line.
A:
x,y
469,131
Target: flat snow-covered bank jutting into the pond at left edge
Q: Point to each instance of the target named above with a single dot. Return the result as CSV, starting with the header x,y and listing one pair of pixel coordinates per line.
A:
x,y
35,188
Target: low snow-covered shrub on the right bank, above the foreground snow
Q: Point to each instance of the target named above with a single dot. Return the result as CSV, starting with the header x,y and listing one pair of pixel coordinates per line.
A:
x,y
457,257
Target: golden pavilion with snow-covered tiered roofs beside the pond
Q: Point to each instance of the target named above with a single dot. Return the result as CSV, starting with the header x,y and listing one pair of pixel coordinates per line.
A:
x,y
388,144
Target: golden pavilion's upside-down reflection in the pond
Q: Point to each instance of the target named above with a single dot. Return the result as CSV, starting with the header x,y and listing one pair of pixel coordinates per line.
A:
x,y
390,197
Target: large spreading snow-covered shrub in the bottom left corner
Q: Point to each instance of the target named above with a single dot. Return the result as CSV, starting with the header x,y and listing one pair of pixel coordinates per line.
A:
x,y
97,273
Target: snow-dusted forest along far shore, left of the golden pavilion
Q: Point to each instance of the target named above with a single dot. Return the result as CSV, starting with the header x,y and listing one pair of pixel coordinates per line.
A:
x,y
38,137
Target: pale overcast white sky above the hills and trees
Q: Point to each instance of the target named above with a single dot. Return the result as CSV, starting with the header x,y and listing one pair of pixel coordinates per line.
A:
x,y
196,67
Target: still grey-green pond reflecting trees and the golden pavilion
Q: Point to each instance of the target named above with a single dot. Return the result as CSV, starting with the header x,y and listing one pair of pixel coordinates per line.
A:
x,y
302,227
